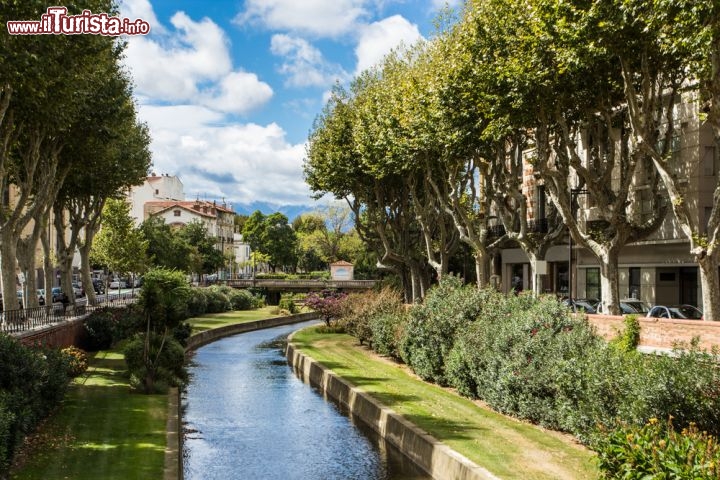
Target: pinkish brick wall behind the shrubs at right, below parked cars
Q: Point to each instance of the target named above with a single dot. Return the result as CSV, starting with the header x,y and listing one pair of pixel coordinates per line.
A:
x,y
661,332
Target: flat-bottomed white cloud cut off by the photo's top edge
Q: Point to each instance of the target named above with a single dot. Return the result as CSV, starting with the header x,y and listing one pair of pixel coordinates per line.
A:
x,y
326,18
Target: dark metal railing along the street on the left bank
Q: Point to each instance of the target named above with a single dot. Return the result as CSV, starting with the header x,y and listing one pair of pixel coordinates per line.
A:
x,y
24,319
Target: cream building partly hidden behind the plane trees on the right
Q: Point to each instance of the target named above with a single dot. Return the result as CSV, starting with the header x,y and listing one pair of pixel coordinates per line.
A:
x,y
658,270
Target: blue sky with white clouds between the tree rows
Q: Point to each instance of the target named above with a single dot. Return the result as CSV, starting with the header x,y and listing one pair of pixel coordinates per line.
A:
x,y
230,88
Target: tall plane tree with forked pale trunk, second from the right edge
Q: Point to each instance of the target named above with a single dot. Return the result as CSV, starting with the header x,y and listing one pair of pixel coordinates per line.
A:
x,y
567,93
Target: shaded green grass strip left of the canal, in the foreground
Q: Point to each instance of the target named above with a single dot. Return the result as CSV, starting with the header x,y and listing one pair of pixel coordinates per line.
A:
x,y
102,430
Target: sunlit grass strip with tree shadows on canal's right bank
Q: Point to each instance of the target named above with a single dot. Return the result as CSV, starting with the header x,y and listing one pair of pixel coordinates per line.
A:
x,y
509,448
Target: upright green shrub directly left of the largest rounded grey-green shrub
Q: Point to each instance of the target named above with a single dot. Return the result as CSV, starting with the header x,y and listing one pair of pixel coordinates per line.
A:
x,y
449,308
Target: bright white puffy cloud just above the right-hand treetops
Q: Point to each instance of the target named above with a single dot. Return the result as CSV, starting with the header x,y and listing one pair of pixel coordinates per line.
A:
x,y
379,38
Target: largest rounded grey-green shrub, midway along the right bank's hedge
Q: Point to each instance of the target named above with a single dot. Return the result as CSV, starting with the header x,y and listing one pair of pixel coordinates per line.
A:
x,y
521,358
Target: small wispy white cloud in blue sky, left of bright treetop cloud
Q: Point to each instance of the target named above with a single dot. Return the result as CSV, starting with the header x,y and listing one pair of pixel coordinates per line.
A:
x,y
304,64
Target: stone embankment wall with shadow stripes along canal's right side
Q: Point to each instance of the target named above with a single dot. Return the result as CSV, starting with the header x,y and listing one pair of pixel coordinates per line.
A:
x,y
436,458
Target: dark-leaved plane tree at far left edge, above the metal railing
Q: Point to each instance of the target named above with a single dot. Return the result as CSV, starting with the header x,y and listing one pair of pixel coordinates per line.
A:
x,y
39,78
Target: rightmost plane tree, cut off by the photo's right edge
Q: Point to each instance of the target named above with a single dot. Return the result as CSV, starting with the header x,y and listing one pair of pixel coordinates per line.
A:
x,y
669,58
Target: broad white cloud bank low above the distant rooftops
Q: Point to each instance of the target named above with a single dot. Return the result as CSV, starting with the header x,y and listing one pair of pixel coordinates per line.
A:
x,y
239,162
